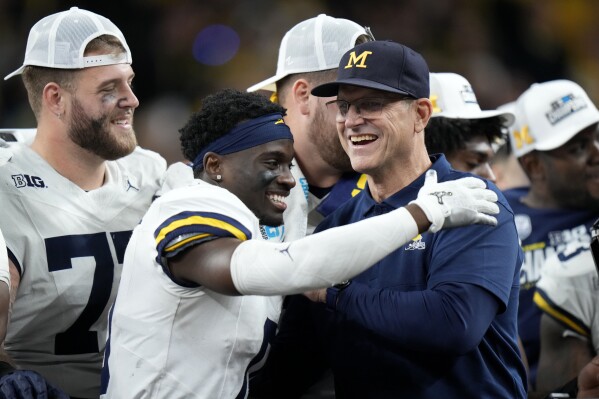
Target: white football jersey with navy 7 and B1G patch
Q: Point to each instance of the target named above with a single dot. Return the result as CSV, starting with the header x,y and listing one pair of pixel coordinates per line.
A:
x,y
69,245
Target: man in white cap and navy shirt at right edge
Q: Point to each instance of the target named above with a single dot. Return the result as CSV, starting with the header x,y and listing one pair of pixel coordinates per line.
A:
x,y
557,145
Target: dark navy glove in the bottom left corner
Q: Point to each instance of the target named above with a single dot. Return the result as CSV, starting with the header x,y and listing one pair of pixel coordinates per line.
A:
x,y
27,384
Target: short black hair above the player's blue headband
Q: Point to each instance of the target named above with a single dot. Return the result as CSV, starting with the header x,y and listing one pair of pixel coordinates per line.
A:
x,y
219,113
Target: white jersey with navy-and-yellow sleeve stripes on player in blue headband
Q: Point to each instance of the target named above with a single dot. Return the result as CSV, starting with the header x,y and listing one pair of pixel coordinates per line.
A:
x,y
171,340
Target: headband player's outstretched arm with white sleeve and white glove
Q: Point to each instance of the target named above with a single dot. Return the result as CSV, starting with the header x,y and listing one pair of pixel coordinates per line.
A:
x,y
256,267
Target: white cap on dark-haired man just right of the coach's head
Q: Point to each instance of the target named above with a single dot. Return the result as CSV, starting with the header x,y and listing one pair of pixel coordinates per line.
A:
x,y
453,97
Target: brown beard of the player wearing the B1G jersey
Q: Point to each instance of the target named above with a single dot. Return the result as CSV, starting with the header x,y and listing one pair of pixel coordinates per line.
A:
x,y
94,135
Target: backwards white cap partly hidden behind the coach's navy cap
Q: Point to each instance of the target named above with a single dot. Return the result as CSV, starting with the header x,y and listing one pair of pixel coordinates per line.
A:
x,y
316,44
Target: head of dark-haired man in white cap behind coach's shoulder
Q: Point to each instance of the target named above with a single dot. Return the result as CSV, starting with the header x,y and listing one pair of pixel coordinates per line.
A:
x,y
458,127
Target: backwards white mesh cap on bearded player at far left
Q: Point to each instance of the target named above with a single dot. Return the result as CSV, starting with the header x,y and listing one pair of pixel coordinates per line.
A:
x,y
59,41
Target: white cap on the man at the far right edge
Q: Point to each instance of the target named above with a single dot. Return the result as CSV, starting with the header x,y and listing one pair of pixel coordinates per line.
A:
x,y
550,114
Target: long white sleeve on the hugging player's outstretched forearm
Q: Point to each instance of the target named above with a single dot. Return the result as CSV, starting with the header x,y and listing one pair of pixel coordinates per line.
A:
x,y
320,260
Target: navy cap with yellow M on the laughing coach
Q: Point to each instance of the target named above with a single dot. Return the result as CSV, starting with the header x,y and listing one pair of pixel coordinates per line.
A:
x,y
381,65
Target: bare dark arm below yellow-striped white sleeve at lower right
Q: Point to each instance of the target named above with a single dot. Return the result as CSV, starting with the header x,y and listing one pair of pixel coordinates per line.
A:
x,y
563,355
